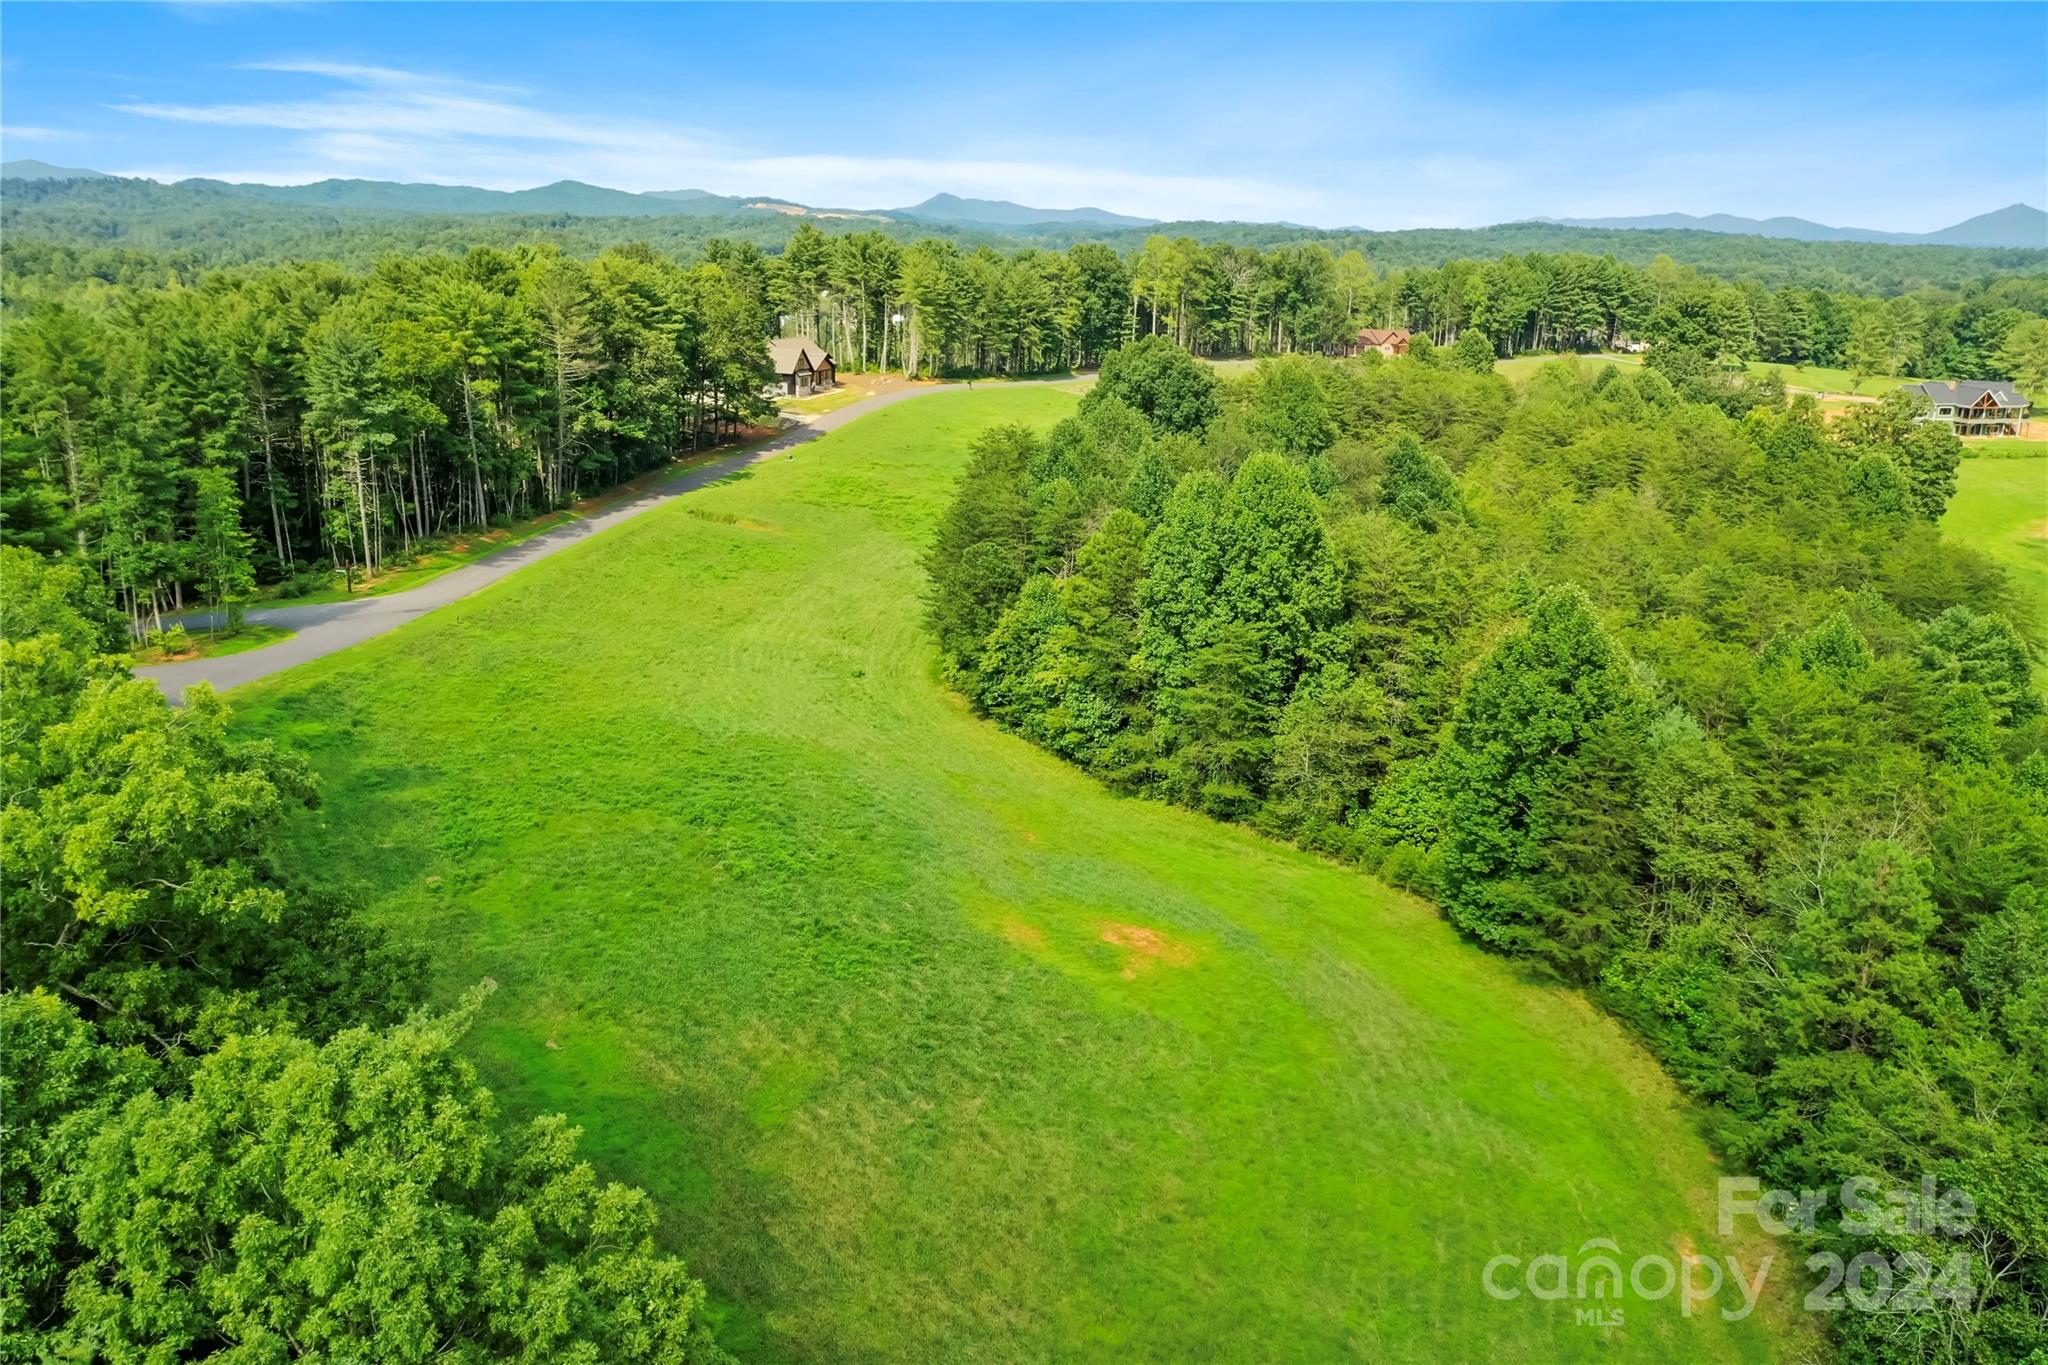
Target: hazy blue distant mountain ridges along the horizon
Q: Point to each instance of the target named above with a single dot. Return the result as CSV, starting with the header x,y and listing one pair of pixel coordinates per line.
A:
x,y
2016,226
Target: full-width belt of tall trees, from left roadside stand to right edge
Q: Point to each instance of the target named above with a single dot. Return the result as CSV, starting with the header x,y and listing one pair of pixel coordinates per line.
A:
x,y
202,435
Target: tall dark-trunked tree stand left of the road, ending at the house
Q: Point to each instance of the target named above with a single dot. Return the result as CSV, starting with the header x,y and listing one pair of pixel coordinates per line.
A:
x,y
267,423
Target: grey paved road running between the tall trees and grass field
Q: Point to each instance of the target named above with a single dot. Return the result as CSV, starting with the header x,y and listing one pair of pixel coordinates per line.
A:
x,y
337,625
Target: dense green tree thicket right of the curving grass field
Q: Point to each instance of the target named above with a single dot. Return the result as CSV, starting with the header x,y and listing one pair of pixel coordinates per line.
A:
x,y
1650,678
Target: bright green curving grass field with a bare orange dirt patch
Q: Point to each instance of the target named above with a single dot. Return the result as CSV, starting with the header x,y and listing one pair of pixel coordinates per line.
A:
x,y
931,1047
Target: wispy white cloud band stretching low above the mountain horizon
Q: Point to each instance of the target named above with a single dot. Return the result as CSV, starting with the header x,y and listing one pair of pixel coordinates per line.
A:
x,y
1414,165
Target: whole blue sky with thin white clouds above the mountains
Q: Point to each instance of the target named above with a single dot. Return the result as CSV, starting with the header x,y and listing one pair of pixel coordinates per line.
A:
x,y
1897,116
